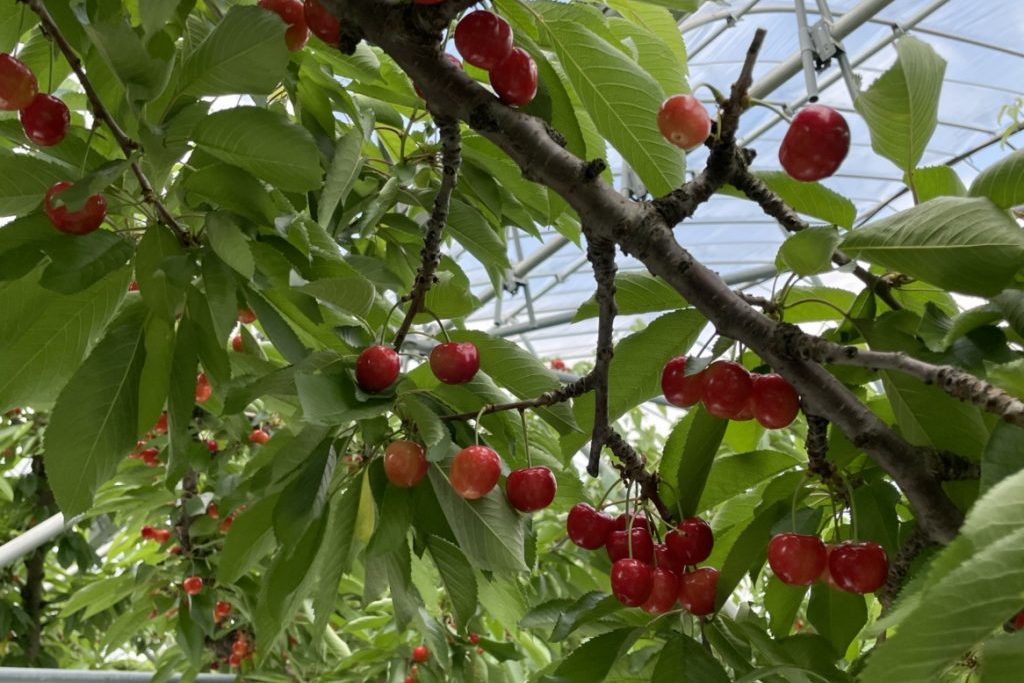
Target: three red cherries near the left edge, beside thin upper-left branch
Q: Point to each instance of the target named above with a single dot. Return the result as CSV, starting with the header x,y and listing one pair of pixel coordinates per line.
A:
x,y
46,120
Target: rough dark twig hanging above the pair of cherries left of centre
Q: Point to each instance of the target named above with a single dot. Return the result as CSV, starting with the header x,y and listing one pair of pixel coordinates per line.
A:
x,y
432,253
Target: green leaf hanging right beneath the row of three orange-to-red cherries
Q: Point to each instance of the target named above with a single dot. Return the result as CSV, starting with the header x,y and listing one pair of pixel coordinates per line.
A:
x,y
489,531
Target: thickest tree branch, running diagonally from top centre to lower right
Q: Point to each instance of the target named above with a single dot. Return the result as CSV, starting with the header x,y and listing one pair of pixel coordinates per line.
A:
x,y
643,232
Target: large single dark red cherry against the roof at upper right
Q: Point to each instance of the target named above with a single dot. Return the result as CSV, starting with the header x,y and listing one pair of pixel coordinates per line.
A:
x,y
817,144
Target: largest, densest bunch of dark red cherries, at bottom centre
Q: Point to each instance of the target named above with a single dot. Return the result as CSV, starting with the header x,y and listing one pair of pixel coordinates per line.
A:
x,y
645,574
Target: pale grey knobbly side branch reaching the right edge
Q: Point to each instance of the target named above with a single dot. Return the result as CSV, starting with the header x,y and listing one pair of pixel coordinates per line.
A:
x,y
954,381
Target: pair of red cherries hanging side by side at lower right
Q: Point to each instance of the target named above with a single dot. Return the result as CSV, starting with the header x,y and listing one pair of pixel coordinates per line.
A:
x,y
852,567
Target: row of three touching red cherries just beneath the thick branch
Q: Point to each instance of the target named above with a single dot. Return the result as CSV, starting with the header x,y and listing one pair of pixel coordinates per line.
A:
x,y
728,391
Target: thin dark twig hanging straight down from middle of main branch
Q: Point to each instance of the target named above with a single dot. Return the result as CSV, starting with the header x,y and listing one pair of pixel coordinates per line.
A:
x,y
602,254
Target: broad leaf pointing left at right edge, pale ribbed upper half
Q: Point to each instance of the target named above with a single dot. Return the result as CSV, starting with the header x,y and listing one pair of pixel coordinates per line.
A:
x,y
964,245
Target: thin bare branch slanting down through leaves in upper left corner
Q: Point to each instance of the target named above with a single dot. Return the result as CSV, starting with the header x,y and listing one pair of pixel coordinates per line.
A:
x,y
129,146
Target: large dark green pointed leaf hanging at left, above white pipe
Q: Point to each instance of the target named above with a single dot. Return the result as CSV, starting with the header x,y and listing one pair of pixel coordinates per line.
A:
x,y
93,426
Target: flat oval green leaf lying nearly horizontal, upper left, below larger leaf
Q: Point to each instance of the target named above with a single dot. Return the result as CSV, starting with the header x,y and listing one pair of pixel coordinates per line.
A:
x,y
264,143
